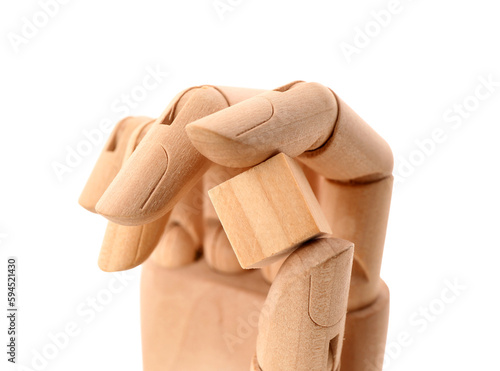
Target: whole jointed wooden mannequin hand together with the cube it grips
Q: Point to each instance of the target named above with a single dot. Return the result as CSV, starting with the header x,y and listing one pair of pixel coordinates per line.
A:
x,y
302,186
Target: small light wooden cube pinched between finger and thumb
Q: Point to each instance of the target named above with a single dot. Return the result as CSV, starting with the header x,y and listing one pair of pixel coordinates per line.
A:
x,y
268,211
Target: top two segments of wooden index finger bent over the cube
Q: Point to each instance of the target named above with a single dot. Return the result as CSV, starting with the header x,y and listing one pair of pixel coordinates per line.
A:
x,y
301,119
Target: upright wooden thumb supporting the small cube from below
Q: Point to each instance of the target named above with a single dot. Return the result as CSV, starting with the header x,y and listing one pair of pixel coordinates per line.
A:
x,y
301,326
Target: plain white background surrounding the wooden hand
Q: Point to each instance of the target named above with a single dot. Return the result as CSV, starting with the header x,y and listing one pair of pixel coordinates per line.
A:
x,y
428,58
